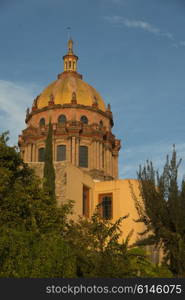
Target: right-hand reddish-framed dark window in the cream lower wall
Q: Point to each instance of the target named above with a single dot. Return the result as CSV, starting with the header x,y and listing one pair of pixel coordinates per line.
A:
x,y
105,201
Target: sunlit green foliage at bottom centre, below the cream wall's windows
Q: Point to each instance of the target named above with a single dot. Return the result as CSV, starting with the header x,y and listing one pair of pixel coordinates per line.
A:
x,y
100,252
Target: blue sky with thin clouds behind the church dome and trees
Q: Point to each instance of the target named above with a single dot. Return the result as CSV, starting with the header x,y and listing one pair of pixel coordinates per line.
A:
x,y
132,52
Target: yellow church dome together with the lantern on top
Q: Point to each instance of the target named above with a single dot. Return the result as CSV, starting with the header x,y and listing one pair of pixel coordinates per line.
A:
x,y
70,85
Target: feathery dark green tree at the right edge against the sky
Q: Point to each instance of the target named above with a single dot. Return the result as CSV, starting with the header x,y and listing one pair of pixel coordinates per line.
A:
x,y
162,210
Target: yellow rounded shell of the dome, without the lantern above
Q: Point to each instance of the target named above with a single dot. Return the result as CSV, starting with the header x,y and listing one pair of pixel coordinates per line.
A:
x,y
62,89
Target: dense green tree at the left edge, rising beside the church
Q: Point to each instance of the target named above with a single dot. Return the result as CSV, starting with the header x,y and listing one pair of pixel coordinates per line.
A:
x,y
31,227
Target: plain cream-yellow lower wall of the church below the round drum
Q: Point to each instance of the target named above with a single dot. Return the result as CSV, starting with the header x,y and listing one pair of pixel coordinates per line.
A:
x,y
69,186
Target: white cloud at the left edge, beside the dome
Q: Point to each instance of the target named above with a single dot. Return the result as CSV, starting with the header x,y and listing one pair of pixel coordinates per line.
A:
x,y
14,99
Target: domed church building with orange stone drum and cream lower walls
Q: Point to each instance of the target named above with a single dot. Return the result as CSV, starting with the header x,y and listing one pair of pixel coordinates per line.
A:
x,y
85,151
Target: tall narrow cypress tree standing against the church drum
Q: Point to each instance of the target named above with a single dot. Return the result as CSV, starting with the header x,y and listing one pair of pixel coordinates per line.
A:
x,y
49,171
